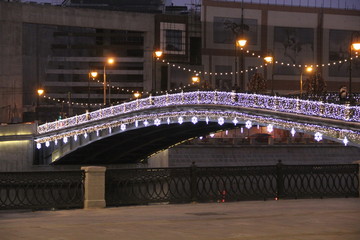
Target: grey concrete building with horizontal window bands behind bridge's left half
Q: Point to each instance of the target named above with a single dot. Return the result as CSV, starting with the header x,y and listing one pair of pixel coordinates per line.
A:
x,y
55,48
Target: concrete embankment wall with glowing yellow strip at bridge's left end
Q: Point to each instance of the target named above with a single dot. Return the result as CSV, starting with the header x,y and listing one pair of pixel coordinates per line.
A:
x,y
16,147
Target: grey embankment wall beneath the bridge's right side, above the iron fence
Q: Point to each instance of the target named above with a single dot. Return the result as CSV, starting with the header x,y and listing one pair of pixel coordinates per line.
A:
x,y
183,156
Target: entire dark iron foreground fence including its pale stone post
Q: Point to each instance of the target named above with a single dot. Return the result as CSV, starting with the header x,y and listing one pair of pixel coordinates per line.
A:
x,y
95,186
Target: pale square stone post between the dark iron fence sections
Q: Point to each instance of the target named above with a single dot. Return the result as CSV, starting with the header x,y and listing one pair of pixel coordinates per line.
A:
x,y
94,196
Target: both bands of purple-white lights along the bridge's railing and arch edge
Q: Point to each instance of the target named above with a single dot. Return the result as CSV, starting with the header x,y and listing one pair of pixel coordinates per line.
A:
x,y
345,113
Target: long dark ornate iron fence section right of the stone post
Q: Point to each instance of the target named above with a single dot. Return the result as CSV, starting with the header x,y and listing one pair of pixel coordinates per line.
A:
x,y
220,184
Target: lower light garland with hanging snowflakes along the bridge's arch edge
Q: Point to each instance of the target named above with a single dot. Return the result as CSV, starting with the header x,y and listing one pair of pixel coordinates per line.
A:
x,y
220,117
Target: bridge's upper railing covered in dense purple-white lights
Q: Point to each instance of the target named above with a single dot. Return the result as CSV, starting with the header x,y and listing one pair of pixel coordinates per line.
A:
x,y
274,103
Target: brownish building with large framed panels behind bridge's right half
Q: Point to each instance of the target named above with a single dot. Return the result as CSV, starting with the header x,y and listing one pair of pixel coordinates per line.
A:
x,y
294,35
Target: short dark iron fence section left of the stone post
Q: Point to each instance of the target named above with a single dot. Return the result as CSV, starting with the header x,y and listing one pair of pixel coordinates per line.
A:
x,y
41,190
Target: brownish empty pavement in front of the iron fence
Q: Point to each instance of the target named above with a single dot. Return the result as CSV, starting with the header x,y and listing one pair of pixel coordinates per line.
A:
x,y
310,219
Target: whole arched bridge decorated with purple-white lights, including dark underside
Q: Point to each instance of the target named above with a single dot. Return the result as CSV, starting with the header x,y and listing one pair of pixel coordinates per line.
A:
x,y
135,130
